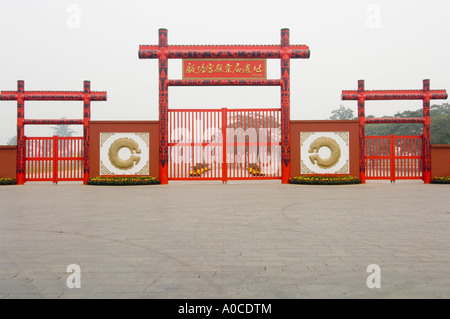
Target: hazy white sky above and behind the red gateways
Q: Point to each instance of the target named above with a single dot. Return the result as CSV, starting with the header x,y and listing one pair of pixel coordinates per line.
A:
x,y
56,44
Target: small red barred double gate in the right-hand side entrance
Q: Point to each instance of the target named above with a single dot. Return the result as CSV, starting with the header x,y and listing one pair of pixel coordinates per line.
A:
x,y
394,157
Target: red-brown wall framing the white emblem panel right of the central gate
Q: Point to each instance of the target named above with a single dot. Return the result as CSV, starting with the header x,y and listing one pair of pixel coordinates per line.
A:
x,y
352,126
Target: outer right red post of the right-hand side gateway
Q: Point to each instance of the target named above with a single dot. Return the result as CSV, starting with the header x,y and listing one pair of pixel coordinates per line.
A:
x,y
426,133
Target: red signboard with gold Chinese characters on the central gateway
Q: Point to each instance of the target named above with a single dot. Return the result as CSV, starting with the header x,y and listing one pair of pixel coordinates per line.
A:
x,y
224,69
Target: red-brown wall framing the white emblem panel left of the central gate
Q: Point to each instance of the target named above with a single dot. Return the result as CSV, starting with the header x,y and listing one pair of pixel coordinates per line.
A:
x,y
97,127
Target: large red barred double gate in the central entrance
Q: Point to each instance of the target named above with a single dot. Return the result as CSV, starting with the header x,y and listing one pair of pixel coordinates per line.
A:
x,y
222,144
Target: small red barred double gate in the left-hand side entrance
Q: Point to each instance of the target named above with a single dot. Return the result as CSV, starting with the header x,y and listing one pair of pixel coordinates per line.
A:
x,y
54,159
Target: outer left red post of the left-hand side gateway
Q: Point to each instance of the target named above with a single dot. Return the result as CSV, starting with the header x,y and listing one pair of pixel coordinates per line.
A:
x,y
20,162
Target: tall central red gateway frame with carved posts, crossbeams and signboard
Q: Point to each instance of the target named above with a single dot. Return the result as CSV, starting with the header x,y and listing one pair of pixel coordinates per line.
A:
x,y
210,54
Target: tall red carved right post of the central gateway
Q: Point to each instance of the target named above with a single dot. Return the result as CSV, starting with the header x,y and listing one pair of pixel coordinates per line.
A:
x,y
285,108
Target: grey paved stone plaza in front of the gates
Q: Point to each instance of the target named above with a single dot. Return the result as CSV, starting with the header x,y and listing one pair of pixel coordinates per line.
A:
x,y
209,240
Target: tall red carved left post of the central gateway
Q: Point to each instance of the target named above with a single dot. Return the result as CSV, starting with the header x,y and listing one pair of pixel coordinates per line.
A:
x,y
163,105
